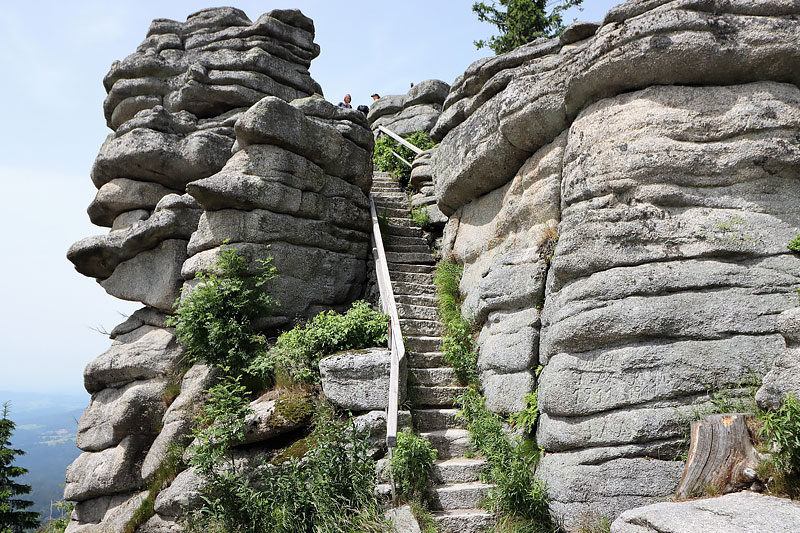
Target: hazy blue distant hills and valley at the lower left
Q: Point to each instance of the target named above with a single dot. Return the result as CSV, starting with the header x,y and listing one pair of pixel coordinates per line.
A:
x,y
46,429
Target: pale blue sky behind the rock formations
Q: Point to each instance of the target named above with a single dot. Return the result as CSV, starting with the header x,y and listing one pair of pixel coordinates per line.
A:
x,y
53,56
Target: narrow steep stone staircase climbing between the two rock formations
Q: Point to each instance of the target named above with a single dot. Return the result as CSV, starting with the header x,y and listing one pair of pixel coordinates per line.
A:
x,y
433,386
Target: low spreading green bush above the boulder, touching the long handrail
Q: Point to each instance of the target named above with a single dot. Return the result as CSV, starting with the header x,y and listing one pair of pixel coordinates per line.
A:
x,y
297,352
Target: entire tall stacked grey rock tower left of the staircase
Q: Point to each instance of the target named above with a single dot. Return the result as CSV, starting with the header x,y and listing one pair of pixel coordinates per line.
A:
x,y
206,149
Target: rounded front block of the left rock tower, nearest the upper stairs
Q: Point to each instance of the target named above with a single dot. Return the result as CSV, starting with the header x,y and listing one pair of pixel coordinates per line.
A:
x,y
294,191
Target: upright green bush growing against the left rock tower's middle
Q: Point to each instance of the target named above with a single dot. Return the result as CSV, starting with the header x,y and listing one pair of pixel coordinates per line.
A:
x,y
214,321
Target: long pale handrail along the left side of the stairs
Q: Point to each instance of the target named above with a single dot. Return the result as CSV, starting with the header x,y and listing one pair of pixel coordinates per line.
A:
x,y
398,350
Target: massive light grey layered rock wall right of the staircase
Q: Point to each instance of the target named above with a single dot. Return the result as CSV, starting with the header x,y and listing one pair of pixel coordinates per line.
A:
x,y
622,206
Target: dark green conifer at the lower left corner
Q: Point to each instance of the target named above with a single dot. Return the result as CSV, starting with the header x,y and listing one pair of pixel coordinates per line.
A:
x,y
13,516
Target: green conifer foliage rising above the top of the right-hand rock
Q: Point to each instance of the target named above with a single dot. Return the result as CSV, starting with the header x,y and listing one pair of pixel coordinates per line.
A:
x,y
521,21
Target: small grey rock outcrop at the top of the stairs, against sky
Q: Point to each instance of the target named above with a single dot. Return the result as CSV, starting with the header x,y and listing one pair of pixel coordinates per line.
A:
x,y
417,110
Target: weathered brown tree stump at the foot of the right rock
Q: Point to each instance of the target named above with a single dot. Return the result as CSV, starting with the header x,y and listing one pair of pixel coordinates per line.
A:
x,y
721,458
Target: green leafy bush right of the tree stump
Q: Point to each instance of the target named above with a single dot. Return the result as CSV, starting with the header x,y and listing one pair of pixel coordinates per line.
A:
x,y
781,429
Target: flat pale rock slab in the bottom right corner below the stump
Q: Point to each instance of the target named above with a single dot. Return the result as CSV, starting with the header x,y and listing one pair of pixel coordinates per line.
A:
x,y
741,512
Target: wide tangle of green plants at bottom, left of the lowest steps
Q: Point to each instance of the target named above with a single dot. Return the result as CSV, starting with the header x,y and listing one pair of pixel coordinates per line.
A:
x,y
331,490
